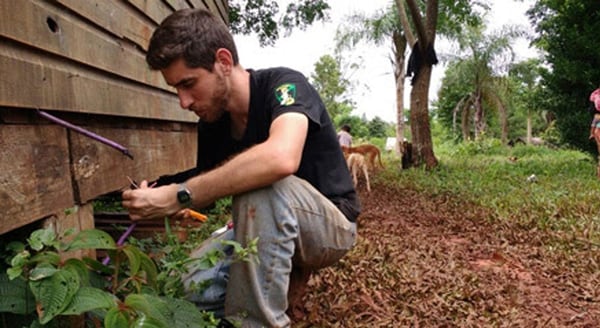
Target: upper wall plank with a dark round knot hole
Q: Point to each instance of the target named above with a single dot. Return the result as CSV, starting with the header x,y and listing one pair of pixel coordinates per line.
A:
x,y
67,36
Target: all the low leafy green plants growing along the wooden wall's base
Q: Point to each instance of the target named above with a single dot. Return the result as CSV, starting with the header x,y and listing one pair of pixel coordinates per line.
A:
x,y
131,291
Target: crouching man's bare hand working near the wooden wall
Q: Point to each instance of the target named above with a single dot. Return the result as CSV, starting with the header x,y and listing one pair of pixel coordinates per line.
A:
x,y
152,203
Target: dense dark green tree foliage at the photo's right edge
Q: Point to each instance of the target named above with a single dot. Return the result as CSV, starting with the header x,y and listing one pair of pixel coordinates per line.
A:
x,y
568,34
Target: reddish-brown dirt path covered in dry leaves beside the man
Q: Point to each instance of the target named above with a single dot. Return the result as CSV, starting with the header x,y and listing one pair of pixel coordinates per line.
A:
x,y
423,262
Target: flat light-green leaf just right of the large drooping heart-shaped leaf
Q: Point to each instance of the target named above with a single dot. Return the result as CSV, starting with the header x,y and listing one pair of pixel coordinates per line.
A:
x,y
88,299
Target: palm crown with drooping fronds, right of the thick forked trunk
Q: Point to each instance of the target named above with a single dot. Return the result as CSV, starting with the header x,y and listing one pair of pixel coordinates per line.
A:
x,y
476,82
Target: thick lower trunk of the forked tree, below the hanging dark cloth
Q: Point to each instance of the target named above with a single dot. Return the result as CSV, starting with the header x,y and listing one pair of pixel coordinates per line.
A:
x,y
422,151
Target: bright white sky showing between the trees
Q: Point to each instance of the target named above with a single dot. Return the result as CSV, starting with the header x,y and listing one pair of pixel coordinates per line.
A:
x,y
374,93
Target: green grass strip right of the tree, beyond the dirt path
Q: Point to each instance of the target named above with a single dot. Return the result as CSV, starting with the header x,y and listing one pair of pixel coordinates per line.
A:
x,y
535,187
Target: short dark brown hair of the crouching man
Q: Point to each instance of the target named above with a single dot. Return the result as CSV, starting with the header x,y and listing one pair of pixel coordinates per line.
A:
x,y
192,34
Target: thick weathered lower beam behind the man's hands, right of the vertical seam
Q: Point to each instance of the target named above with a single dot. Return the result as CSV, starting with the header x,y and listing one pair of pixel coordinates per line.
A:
x,y
98,168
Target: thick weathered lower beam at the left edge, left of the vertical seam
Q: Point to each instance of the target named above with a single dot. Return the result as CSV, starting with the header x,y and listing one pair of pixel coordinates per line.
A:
x,y
35,178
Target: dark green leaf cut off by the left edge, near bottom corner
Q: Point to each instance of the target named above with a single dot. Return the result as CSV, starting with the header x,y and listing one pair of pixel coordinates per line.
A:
x,y
15,296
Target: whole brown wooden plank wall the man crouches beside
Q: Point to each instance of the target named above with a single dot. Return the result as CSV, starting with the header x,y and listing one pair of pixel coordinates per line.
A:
x,y
83,61
